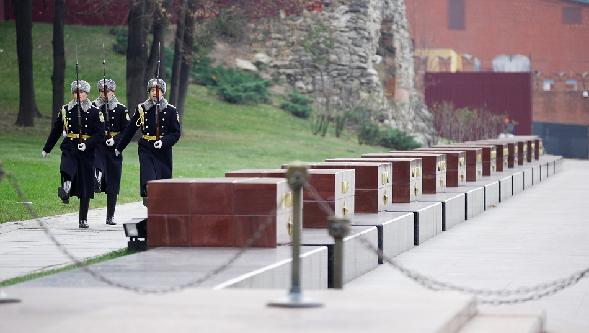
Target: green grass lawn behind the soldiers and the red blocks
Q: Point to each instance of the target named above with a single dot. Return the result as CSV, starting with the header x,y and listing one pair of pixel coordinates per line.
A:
x,y
217,136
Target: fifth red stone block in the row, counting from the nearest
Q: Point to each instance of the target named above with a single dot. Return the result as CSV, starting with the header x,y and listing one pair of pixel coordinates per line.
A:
x,y
434,168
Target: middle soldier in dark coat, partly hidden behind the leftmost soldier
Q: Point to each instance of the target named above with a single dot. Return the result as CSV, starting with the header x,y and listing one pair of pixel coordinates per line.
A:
x,y
108,165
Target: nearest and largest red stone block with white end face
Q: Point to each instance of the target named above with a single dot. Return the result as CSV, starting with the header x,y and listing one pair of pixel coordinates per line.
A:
x,y
218,212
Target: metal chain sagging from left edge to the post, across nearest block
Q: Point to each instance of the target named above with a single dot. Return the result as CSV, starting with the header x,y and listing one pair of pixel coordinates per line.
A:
x,y
98,276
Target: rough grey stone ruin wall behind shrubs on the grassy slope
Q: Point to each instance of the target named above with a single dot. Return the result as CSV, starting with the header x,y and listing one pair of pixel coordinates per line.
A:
x,y
371,57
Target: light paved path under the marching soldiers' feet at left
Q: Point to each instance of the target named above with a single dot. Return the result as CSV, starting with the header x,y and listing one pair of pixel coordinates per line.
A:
x,y
24,247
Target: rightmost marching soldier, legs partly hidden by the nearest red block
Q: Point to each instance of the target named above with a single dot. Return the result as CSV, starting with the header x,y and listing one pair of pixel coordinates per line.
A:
x,y
159,135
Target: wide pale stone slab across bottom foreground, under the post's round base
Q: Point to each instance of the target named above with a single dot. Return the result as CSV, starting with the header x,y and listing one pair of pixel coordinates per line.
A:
x,y
57,310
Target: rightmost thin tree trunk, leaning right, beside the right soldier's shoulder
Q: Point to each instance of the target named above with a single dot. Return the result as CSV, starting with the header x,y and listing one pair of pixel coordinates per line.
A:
x,y
186,65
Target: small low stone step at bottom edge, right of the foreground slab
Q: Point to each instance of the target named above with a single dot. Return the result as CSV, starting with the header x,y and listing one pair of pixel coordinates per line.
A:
x,y
505,323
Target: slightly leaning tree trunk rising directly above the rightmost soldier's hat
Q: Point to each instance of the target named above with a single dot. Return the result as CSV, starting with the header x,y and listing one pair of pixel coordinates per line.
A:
x,y
161,20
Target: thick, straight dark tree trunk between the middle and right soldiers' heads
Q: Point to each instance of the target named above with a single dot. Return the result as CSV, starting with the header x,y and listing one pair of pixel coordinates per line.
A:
x,y
136,53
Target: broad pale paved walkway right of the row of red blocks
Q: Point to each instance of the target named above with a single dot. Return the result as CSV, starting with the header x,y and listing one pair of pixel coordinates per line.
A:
x,y
539,235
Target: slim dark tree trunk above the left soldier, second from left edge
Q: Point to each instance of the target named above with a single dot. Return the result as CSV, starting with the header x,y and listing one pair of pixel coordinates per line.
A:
x,y
57,78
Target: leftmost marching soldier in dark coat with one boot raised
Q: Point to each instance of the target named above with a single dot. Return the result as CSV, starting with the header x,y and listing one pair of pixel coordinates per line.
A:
x,y
83,130
